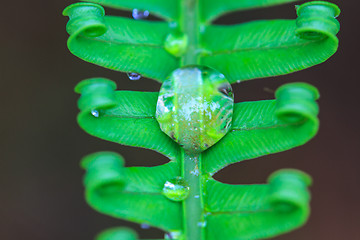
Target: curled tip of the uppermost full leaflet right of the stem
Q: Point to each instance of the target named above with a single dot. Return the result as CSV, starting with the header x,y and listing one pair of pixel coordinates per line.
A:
x,y
317,20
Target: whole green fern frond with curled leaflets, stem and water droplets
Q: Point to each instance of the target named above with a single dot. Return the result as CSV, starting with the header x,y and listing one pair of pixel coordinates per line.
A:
x,y
181,197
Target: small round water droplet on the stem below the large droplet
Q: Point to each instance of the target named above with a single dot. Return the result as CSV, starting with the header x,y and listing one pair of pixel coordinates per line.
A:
x,y
176,189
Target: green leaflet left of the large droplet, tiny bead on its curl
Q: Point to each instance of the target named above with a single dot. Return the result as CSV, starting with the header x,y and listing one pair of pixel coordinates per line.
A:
x,y
124,117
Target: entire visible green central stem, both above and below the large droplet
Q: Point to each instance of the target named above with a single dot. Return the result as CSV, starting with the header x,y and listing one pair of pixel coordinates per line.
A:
x,y
193,207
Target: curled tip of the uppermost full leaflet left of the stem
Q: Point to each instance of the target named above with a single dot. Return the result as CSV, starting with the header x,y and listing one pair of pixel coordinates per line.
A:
x,y
86,19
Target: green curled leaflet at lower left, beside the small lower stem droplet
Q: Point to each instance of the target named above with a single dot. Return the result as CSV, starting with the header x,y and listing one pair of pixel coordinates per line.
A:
x,y
133,193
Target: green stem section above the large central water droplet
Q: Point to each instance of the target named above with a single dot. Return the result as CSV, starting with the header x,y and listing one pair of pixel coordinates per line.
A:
x,y
189,24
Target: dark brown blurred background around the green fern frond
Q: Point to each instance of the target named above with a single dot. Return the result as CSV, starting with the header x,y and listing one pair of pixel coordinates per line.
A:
x,y
41,193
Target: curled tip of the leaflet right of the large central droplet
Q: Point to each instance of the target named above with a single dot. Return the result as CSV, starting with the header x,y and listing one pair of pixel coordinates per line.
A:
x,y
296,102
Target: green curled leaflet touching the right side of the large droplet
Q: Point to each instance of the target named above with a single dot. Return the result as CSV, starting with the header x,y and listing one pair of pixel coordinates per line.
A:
x,y
265,127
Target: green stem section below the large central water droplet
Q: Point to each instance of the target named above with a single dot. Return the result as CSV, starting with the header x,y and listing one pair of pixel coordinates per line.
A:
x,y
193,207
